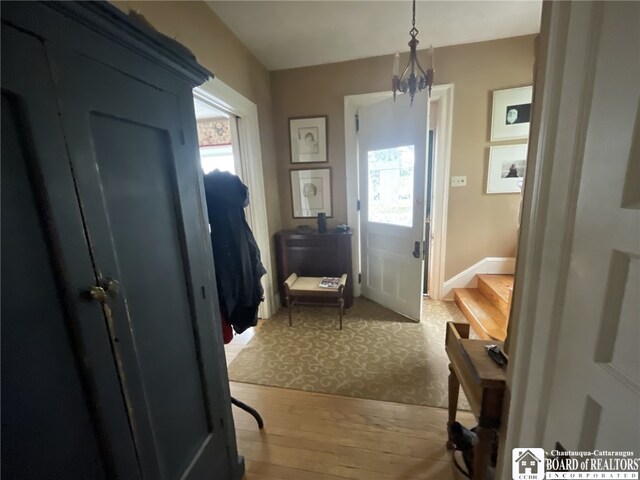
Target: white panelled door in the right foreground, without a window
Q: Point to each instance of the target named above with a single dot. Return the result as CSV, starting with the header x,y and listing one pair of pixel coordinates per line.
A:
x,y
595,399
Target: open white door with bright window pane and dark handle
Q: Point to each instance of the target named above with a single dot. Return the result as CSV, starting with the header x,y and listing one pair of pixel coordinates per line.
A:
x,y
392,146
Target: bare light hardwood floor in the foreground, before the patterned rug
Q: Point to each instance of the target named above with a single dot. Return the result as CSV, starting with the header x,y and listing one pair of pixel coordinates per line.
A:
x,y
313,436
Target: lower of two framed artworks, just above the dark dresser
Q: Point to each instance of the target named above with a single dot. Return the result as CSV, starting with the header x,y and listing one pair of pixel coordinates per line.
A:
x,y
311,192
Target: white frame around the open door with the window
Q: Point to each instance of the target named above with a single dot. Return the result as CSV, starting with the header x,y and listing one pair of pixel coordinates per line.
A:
x,y
442,101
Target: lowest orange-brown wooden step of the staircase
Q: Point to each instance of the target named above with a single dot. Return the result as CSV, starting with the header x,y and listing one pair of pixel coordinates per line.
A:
x,y
485,318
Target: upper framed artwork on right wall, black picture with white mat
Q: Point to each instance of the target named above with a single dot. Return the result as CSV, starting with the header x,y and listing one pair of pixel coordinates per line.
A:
x,y
511,113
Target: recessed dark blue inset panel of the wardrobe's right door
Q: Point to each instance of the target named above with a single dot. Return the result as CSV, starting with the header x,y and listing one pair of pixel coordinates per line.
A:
x,y
139,194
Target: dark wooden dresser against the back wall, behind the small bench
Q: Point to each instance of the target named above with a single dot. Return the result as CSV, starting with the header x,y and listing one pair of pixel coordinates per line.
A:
x,y
314,254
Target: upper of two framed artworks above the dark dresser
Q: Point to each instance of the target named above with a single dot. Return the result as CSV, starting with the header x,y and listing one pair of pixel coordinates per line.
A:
x,y
308,139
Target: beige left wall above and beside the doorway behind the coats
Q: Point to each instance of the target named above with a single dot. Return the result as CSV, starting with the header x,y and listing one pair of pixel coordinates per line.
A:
x,y
198,28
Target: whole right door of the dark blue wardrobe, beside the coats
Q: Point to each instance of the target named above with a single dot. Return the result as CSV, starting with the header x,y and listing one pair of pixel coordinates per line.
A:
x,y
137,181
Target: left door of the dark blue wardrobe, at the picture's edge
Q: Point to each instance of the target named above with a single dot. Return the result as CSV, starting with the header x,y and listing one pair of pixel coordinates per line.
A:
x,y
62,411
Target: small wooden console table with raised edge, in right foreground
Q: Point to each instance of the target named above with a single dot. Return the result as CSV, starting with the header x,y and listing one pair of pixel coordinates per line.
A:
x,y
483,383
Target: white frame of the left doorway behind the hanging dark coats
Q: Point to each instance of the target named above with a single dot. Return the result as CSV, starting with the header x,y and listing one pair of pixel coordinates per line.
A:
x,y
219,95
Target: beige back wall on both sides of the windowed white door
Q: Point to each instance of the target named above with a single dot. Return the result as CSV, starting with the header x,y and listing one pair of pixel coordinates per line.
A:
x,y
479,225
